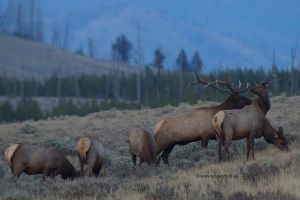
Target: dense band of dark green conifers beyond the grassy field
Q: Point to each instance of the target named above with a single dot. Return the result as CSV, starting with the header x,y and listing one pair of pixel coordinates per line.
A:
x,y
155,91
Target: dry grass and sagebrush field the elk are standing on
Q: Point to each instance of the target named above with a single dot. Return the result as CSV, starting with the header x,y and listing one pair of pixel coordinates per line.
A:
x,y
194,173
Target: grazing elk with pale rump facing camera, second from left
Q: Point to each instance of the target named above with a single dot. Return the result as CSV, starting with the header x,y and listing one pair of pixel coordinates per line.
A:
x,y
91,155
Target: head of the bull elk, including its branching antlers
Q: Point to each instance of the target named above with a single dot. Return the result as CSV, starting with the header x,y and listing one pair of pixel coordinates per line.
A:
x,y
236,100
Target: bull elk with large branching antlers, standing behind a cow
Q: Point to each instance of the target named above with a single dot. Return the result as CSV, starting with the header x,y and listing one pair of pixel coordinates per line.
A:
x,y
196,125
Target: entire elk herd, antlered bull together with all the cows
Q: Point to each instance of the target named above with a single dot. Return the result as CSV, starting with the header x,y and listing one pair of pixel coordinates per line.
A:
x,y
237,118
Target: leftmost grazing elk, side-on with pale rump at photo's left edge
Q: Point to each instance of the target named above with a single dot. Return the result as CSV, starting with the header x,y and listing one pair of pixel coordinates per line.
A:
x,y
33,159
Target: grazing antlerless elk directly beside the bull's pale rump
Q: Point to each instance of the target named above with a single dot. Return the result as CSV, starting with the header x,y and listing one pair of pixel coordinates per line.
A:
x,y
142,144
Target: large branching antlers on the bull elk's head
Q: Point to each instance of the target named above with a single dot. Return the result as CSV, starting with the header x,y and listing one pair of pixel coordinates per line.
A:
x,y
215,84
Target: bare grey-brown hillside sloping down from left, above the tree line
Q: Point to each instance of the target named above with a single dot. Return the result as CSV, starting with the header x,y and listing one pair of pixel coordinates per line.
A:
x,y
20,57
